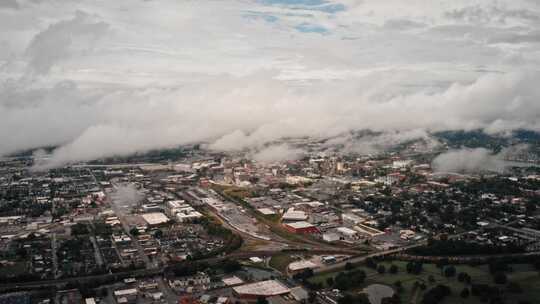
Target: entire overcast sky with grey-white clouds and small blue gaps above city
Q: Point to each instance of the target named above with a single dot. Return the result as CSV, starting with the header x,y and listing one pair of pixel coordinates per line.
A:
x,y
100,78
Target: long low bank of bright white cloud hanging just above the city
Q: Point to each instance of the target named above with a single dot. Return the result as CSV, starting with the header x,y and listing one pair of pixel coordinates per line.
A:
x,y
119,122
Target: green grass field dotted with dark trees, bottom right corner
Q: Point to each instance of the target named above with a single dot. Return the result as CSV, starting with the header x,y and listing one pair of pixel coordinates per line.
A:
x,y
523,274
